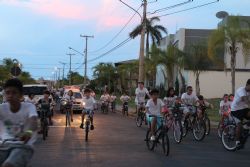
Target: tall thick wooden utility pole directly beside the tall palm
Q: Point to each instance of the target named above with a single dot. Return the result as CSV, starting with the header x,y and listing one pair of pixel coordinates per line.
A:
x,y
141,57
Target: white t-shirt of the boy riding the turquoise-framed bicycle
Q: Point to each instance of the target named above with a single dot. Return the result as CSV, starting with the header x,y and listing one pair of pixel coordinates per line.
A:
x,y
154,109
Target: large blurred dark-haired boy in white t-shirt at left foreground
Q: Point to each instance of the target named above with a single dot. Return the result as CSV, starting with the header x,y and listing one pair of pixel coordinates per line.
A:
x,y
18,120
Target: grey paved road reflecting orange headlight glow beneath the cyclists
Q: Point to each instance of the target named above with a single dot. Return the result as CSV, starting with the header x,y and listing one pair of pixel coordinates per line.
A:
x,y
117,142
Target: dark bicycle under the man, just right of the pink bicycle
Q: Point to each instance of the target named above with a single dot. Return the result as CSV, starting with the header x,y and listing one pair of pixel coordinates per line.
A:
x,y
196,125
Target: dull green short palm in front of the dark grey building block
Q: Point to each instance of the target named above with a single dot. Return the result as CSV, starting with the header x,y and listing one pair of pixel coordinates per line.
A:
x,y
197,60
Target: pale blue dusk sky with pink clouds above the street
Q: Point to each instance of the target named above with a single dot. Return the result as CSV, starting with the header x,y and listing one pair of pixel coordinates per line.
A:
x,y
39,32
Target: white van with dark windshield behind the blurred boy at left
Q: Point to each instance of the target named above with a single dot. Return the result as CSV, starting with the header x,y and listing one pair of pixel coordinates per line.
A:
x,y
35,89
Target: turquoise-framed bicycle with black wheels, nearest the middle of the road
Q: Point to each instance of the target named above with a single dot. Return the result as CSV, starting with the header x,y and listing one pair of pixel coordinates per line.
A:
x,y
161,137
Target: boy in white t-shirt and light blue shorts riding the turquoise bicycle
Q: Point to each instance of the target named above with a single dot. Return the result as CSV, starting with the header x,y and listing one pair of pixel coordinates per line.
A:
x,y
154,107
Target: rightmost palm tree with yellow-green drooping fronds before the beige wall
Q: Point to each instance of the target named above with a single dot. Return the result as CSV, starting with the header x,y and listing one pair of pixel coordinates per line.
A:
x,y
231,36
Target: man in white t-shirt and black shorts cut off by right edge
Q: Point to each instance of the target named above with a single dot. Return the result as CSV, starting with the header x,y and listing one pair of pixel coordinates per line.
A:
x,y
240,109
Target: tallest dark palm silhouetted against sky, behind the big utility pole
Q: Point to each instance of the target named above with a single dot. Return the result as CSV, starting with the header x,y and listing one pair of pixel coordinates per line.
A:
x,y
154,31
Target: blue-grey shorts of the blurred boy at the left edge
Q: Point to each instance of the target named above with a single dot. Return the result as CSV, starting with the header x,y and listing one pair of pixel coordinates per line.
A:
x,y
18,157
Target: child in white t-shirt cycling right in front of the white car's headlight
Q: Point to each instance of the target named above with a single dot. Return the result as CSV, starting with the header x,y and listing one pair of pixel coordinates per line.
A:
x,y
89,103
